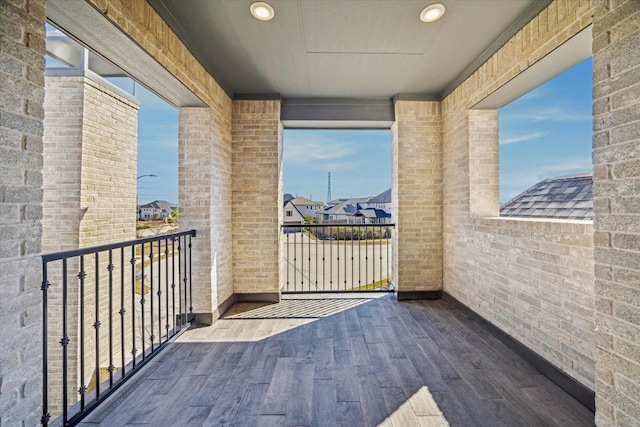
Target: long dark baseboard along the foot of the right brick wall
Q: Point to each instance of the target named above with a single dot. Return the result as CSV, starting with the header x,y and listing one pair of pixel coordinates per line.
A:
x,y
579,392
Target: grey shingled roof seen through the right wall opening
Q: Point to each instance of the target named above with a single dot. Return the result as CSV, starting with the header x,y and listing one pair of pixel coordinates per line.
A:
x,y
565,197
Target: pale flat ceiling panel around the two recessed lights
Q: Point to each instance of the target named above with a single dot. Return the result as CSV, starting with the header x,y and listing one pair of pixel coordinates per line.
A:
x,y
344,48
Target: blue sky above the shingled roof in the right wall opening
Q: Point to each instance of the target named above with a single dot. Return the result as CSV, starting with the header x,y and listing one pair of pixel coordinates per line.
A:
x,y
547,132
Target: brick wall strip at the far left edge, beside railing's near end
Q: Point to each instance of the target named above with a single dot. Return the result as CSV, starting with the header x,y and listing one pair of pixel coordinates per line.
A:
x,y
21,100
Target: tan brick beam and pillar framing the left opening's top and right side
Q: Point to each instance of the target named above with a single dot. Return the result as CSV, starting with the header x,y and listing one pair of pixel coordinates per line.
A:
x,y
142,24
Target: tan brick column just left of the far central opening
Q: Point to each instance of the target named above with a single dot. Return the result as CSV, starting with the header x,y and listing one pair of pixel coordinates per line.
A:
x,y
257,198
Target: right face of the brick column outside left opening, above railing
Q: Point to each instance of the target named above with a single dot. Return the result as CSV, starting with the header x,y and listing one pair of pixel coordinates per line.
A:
x,y
109,165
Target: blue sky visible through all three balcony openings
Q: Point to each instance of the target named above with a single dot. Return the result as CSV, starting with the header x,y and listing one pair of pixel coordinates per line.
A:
x,y
546,133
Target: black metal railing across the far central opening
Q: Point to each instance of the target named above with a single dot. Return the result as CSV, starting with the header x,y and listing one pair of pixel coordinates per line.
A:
x,y
337,257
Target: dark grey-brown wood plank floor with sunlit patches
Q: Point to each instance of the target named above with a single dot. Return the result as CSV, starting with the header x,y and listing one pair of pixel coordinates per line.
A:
x,y
340,361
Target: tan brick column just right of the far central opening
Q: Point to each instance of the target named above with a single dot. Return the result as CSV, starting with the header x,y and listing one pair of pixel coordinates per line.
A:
x,y
417,198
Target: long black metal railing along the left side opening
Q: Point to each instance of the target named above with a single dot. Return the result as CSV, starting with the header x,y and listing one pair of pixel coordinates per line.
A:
x,y
135,295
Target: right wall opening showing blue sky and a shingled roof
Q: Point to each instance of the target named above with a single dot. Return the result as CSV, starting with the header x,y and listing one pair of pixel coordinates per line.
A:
x,y
545,149
